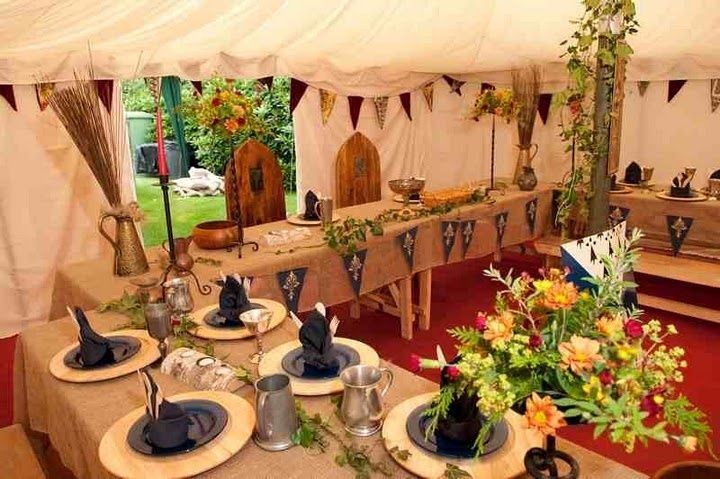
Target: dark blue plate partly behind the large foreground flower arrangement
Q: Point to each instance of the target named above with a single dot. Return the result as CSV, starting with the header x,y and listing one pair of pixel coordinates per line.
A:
x,y
417,424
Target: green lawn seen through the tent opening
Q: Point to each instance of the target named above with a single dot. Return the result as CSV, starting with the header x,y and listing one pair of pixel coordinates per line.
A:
x,y
186,212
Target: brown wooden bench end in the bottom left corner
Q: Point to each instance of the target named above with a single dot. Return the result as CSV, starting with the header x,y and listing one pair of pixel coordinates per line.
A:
x,y
17,455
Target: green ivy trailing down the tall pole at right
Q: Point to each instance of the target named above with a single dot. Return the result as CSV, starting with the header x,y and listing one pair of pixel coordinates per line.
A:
x,y
598,41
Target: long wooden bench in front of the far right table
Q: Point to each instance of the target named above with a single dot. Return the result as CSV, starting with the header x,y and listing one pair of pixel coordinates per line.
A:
x,y
686,270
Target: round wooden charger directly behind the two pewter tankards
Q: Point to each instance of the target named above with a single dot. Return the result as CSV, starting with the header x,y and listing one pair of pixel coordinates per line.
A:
x,y
272,364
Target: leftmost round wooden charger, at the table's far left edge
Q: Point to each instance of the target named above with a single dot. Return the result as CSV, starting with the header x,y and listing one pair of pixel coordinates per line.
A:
x,y
147,355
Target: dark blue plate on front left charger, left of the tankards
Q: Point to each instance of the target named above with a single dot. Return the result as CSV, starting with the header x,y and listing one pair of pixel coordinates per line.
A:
x,y
207,421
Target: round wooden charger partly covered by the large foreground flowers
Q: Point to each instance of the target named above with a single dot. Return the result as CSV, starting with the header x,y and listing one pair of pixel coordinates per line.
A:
x,y
505,462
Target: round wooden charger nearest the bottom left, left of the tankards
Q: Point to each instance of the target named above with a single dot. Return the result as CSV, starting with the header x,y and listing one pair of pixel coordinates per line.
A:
x,y
121,460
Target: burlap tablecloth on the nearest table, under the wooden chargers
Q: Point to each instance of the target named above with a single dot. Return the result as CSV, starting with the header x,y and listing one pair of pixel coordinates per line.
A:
x,y
76,416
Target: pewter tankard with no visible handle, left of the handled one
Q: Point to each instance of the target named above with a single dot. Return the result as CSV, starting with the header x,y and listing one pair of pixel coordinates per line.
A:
x,y
276,419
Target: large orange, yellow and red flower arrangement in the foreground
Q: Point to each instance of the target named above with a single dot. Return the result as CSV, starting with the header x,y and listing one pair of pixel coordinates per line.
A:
x,y
560,355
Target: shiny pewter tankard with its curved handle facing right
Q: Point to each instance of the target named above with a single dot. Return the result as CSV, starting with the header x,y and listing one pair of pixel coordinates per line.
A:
x,y
362,407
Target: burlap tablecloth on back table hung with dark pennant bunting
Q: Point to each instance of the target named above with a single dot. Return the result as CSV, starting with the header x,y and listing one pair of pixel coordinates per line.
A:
x,y
90,283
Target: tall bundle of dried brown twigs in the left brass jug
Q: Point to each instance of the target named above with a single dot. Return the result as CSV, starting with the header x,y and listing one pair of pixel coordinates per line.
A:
x,y
94,132
